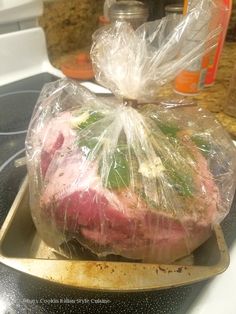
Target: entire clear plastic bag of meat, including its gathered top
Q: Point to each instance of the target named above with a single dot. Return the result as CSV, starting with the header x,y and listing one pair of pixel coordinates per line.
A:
x,y
144,183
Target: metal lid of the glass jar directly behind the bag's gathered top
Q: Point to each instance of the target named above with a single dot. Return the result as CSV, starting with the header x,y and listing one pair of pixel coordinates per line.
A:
x,y
128,9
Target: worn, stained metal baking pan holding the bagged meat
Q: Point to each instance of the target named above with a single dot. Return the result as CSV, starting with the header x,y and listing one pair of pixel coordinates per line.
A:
x,y
21,248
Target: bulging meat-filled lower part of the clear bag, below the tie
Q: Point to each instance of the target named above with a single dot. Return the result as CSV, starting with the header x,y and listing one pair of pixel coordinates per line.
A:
x,y
147,185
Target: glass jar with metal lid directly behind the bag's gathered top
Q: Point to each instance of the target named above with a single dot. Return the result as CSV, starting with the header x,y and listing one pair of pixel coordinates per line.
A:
x,y
133,12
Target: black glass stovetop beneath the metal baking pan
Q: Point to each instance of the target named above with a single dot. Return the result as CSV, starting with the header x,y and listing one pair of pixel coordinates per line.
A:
x,y
21,293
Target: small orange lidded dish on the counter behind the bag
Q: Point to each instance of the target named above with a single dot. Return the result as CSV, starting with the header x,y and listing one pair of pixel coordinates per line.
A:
x,y
78,67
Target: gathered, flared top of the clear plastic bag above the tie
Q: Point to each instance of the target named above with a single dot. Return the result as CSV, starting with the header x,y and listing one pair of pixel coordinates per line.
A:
x,y
133,64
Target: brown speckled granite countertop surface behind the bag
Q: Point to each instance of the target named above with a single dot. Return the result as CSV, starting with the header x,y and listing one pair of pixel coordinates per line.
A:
x,y
212,98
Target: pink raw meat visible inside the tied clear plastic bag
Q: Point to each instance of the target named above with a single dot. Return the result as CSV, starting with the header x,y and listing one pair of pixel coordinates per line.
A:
x,y
118,222
